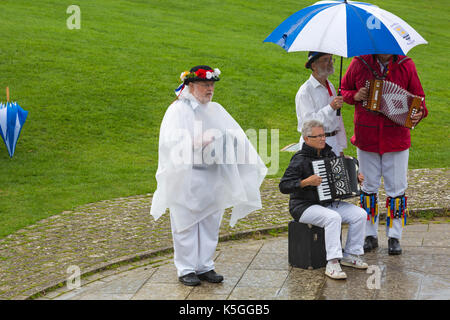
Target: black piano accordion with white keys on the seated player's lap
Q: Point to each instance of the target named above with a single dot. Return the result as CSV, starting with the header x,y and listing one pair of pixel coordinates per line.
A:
x,y
339,178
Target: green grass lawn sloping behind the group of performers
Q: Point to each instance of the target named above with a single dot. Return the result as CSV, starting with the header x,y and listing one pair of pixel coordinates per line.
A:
x,y
96,96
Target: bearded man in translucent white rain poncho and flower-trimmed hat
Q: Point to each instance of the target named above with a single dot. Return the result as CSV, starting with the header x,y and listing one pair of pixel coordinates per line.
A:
x,y
205,165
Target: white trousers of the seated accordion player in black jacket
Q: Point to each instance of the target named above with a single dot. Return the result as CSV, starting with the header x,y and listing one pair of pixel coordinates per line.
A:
x,y
330,218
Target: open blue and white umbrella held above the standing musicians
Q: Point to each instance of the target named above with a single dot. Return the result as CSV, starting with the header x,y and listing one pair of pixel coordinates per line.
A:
x,y
347,29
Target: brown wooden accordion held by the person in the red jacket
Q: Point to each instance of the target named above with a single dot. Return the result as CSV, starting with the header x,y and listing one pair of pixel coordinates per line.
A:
x,y
393,101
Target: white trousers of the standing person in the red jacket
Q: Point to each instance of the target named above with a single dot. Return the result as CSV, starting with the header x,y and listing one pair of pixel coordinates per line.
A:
x,y
393,167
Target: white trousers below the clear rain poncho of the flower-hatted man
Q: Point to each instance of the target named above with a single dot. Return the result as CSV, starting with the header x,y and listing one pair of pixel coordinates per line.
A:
x,y
194,247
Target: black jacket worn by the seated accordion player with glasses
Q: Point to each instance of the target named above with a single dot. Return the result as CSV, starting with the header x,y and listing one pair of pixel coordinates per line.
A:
x,y
300,168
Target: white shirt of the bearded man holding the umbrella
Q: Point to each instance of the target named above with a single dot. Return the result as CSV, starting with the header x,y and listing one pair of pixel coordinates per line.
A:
x,y
312,102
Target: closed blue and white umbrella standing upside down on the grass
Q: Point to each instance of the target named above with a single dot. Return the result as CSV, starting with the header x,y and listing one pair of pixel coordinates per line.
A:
x,y
12,118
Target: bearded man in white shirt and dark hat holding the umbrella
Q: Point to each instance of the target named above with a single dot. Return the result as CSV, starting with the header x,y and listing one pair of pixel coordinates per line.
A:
x,y
316,100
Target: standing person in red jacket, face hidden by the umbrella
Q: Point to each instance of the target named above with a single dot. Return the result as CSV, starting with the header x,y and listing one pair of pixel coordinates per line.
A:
x,y
382,145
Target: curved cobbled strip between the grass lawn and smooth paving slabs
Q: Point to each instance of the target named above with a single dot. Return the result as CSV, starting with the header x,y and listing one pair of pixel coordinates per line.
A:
x,y
99,235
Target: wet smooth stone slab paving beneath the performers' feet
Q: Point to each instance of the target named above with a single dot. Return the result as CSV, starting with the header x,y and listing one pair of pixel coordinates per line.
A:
x,y
258,269
